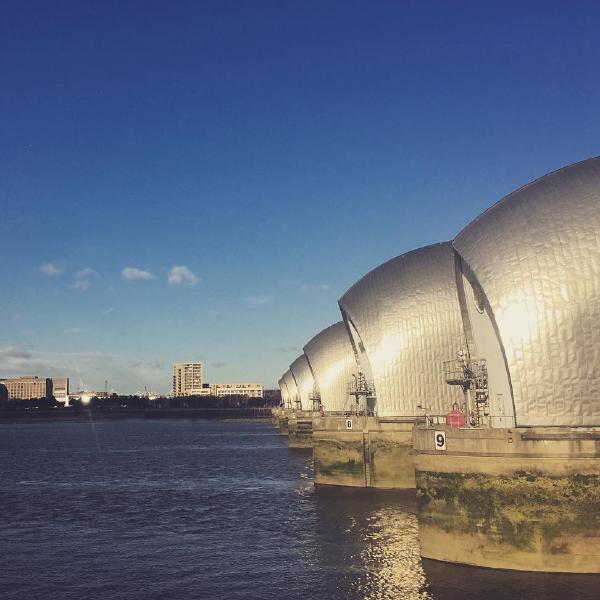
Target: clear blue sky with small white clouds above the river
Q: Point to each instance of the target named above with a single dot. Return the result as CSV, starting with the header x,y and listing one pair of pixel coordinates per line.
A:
x,y
276,150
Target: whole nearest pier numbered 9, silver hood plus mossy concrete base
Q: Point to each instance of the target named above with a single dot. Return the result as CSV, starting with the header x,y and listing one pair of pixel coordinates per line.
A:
x,y
518,485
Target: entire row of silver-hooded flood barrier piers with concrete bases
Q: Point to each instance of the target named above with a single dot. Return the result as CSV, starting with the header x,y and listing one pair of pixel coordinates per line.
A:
x,y
469,371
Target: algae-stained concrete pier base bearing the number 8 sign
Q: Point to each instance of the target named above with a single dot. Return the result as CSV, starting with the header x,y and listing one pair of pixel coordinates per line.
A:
x,y
363,452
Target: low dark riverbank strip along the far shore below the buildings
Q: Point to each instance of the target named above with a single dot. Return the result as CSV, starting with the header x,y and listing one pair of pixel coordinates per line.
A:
x,y
84,414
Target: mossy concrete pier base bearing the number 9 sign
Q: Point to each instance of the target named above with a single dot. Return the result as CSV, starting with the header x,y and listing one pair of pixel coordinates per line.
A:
x,y
522,498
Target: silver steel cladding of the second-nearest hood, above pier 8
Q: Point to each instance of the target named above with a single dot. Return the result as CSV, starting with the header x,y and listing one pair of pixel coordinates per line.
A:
x,y
407,315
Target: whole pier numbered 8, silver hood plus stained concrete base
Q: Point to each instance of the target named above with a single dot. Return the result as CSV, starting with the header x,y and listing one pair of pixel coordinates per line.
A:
x,y
402,320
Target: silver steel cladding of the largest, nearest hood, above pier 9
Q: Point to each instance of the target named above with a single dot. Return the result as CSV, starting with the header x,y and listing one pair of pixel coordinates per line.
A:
x,y
536,257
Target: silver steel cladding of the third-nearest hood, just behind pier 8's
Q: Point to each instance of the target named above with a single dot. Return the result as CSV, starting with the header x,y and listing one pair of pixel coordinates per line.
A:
x,y
332,362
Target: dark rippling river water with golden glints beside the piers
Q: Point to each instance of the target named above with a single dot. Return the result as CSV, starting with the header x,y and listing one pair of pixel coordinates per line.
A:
x,y
181,509
